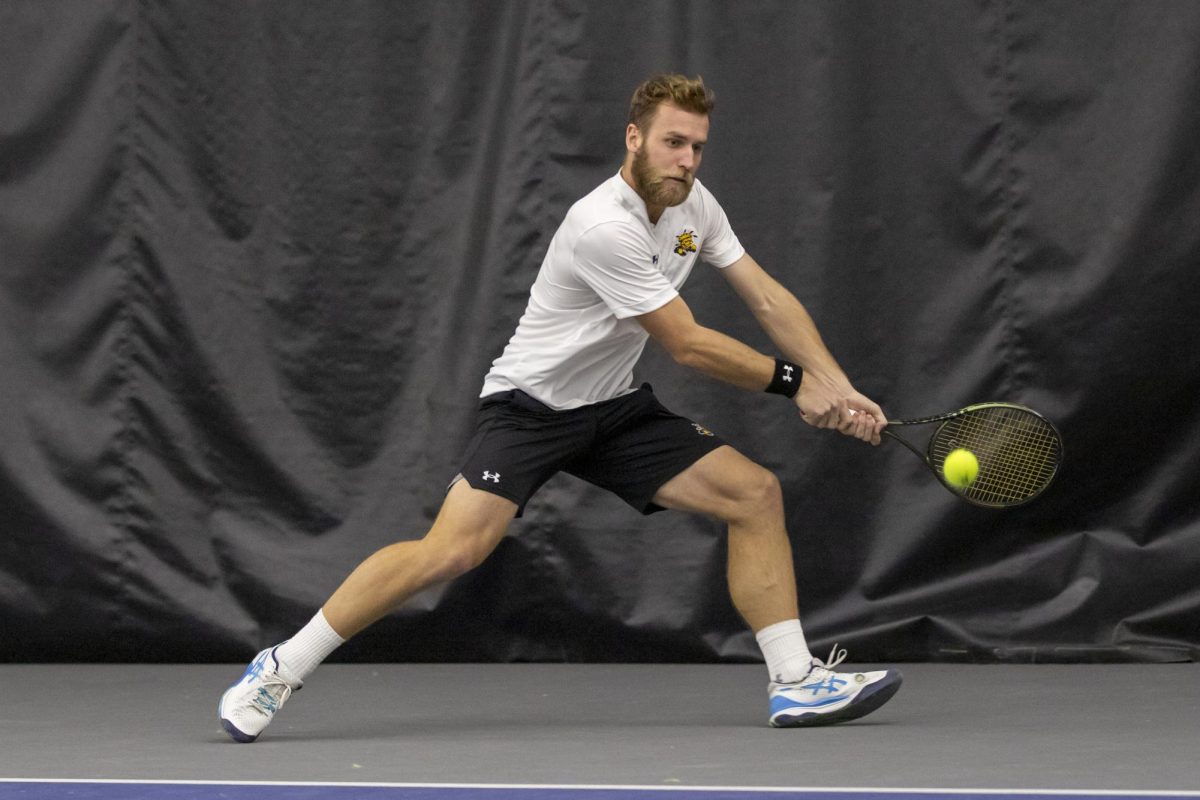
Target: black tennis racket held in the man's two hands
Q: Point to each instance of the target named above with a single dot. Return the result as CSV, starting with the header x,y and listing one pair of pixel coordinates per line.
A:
x,y
1019,452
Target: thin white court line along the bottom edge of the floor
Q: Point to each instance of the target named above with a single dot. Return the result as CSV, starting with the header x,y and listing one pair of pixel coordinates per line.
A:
x,y
598,787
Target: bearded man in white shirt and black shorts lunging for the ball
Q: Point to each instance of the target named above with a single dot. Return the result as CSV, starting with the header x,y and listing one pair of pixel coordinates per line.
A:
x,y
561,399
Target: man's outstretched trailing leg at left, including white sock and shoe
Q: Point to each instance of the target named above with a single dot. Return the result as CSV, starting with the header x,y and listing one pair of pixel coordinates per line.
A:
x,y
469,528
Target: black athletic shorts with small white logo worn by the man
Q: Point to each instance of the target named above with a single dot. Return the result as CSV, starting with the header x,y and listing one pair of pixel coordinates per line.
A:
x,y
631,446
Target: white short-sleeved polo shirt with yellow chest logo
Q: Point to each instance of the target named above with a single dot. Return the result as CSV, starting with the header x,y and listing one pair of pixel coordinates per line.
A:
x,y
578,342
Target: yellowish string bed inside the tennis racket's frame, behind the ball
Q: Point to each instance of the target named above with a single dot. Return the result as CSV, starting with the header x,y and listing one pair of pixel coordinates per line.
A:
x,y
1018,453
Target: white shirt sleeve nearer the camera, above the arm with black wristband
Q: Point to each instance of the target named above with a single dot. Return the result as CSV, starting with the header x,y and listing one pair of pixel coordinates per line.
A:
x,y
621,268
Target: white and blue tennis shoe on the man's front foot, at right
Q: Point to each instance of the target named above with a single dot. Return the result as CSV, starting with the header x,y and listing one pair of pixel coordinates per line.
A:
x,y
825,697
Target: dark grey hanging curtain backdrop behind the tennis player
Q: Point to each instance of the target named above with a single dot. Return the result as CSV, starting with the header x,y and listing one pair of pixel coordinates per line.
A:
x,y
256,258
